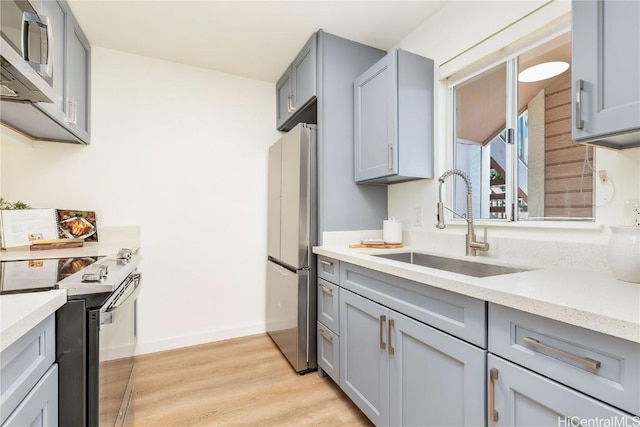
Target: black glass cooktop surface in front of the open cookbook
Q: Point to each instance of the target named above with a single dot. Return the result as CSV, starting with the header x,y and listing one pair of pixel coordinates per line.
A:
x,y
38,275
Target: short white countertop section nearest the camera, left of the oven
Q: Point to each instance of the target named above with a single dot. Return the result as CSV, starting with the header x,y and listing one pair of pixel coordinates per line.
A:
x,y
19,313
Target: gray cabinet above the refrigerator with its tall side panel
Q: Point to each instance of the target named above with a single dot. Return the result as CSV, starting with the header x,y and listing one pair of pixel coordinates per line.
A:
x,y
331,65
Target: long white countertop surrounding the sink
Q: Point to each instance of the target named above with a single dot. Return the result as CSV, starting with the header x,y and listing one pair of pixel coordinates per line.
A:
x,y
591,300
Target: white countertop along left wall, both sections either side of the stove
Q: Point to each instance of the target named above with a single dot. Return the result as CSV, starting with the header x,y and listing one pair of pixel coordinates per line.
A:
x,y
21,312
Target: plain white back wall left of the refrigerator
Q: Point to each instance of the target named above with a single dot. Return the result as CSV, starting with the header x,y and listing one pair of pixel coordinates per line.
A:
x,y
181,152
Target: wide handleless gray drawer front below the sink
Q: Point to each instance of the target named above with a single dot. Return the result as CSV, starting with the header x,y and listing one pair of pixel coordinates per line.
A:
x,y
458,315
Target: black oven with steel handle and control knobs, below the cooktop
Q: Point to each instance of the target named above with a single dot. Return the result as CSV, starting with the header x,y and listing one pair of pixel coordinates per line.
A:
x,y
96,335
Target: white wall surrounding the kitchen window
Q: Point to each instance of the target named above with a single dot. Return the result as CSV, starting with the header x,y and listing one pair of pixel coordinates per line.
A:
x,y
466,31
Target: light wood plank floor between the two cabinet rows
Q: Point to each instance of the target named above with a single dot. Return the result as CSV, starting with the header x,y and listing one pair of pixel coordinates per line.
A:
x,y
239,382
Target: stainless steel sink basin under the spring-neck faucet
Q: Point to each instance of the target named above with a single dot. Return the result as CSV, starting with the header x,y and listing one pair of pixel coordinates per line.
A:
x,y
469,268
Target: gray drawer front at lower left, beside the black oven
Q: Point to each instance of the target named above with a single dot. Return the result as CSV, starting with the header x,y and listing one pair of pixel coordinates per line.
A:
x,y
24,362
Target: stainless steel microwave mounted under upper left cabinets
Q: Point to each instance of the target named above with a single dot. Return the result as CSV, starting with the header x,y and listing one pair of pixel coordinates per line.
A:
x,y
26,51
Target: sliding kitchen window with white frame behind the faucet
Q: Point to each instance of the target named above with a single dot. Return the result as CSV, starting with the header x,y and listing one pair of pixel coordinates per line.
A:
x,y
512,136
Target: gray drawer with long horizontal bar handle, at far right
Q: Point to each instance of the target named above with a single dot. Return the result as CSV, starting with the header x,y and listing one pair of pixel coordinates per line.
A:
x,y
597,364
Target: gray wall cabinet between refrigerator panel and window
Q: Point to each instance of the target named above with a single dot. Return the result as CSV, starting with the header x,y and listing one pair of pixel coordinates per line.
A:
x,y
393,119
